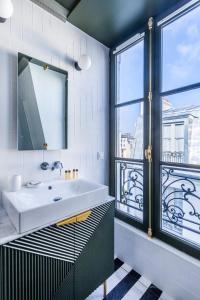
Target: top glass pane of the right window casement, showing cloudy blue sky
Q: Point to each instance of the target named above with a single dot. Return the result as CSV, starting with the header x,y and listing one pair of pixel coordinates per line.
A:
x,y
181,51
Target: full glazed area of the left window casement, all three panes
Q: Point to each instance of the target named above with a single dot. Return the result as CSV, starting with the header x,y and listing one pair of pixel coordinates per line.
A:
x,y
129,128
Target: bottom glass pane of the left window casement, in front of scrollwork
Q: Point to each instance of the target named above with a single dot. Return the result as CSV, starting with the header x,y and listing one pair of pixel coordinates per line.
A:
x,y
130,189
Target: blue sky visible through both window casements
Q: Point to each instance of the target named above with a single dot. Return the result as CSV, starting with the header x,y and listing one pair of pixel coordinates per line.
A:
x,y
181,67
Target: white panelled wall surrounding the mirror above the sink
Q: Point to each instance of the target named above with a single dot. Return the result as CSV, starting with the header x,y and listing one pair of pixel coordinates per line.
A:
x,y
35,32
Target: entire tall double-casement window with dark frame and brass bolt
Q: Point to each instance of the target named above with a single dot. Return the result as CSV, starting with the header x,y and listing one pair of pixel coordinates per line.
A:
x,y
161,189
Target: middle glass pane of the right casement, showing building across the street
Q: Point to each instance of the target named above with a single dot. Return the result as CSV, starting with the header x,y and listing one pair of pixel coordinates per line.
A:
x,y
181,127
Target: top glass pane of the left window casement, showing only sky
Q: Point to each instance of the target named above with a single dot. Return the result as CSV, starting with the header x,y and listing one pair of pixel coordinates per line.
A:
x,y
130,65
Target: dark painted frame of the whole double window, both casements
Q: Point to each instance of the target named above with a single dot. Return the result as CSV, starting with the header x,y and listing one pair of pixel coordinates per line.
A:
x,y
156,117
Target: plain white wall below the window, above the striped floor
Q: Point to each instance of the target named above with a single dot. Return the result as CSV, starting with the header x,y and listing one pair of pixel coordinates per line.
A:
x,y
173,271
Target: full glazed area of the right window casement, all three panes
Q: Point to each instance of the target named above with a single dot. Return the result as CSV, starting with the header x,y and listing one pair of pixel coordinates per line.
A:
x,y
180,134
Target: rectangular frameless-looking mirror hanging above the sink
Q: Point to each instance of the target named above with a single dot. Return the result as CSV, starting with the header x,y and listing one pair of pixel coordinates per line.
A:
x,y
42,105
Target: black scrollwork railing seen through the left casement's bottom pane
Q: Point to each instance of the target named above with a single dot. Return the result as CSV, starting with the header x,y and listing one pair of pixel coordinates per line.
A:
x,y
131,181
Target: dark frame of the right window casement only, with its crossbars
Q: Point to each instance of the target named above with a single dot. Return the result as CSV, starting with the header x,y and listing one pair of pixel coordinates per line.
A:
x,y
180,244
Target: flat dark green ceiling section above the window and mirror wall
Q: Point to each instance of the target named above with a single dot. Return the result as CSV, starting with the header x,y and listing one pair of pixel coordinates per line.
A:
x,y
112,21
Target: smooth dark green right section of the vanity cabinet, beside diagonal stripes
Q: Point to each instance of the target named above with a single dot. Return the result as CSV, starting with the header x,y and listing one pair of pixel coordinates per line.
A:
x,y
96,262
